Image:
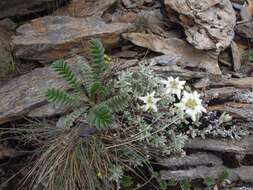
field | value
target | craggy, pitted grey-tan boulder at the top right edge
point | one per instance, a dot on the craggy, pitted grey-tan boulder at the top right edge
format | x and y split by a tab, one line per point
208	24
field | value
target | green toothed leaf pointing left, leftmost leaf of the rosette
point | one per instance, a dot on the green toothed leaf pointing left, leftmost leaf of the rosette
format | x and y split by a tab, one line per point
60	97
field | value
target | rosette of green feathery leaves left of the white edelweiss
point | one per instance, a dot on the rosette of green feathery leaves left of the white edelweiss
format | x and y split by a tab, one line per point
93	97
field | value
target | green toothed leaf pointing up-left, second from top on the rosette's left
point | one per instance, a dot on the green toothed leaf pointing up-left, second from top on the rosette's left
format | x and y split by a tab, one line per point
61	68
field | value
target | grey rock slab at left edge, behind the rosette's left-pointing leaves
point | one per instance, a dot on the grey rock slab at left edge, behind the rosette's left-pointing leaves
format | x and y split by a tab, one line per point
25	95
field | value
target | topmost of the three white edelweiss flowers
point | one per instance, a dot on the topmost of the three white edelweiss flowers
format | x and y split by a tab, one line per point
174	86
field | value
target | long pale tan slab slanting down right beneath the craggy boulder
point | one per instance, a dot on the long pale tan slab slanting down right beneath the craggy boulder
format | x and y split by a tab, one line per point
178	51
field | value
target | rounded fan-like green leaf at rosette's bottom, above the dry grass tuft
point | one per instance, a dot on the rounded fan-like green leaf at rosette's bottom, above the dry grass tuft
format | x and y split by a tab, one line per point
100	116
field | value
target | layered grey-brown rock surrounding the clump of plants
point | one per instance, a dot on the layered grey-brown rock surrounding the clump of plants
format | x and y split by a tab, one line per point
204	42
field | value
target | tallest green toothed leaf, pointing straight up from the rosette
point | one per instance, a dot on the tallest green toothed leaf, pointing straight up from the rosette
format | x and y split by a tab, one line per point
97	55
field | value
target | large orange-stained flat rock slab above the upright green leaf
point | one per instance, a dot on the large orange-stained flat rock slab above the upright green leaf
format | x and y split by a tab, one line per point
53	37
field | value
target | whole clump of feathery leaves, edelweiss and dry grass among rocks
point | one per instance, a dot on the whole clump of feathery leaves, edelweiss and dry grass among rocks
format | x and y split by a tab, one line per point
117	122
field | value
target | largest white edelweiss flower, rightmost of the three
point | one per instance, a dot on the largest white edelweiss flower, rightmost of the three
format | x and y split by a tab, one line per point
191	104
